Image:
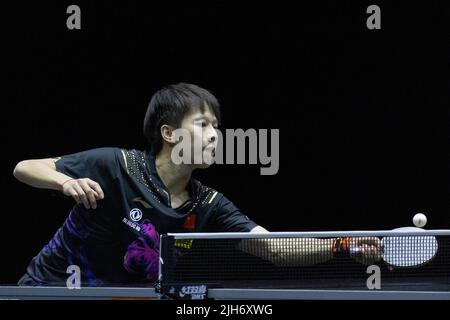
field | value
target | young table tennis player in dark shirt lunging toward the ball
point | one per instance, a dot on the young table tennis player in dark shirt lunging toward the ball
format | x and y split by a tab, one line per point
126	198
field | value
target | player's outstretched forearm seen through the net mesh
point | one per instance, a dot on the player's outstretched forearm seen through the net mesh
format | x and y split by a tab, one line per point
290	251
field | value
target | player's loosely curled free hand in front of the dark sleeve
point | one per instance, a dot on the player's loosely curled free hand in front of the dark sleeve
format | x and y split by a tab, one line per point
85	191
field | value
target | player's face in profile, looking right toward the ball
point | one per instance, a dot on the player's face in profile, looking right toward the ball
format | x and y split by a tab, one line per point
202	127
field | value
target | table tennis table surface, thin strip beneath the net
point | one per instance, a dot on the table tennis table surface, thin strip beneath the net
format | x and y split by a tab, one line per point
119	293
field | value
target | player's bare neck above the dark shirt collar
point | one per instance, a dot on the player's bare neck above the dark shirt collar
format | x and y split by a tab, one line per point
175	177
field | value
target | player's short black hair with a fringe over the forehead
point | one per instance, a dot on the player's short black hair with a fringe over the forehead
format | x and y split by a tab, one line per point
170	105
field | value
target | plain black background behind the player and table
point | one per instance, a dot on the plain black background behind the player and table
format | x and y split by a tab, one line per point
363	114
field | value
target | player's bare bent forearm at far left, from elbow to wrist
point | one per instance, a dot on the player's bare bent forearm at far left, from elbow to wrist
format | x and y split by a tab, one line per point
40	174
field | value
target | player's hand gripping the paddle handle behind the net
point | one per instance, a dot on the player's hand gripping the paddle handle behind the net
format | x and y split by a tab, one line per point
368	249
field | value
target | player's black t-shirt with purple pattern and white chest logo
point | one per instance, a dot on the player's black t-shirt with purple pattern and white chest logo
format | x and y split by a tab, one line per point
118	242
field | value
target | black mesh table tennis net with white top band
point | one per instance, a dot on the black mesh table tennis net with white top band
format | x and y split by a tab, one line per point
306	262
